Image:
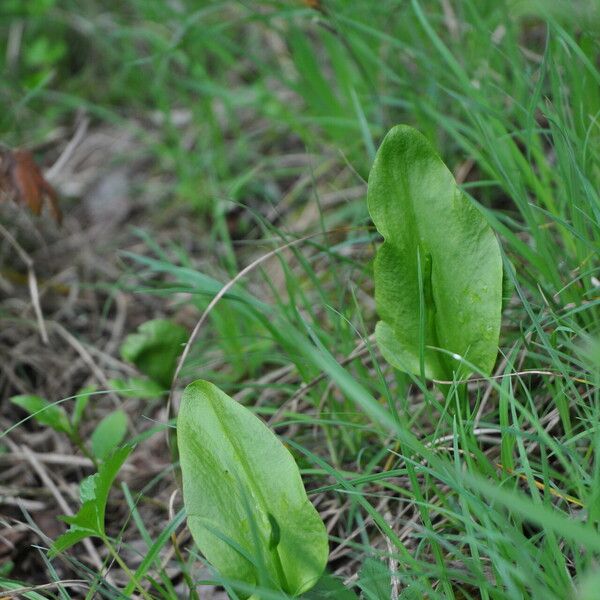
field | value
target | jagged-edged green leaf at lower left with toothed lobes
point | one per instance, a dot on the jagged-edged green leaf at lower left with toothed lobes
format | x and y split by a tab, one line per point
89	520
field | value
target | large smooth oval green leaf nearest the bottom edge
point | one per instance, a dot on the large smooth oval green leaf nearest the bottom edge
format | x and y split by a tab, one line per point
247	507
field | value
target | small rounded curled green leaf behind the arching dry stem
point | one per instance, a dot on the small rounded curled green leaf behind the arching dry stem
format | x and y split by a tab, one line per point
154	349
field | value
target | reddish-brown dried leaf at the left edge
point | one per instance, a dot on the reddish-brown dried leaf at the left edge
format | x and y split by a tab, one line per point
22	181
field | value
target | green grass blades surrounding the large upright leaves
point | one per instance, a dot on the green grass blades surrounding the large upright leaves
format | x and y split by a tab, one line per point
286	107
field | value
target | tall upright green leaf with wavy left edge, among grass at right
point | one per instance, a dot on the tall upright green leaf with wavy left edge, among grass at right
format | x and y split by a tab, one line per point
438	274
